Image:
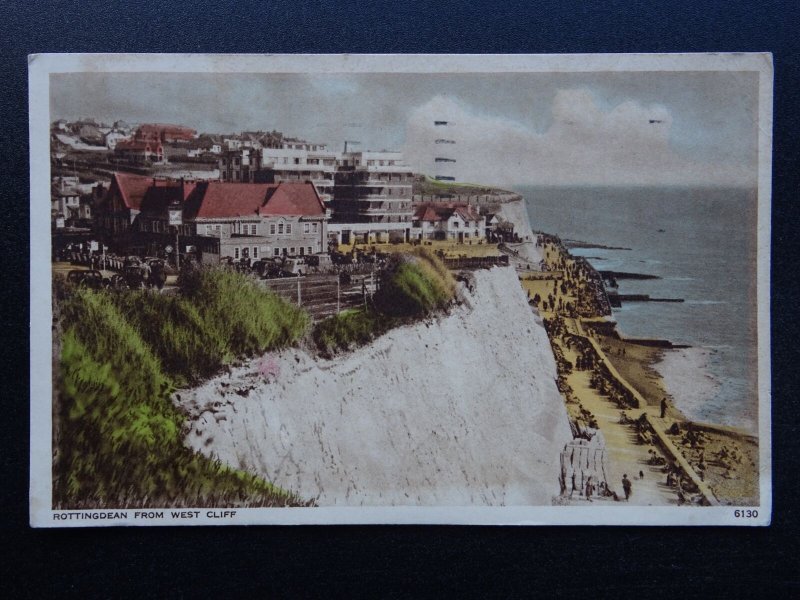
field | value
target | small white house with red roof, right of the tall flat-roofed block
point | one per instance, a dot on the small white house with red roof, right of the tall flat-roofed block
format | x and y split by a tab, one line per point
449	221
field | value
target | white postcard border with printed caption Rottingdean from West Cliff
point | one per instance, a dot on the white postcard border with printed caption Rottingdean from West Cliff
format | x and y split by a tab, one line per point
41	371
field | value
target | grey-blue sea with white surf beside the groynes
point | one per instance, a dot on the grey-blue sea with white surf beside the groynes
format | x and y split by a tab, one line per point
701	243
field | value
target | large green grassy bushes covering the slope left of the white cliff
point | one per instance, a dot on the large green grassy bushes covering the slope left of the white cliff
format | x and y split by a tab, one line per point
119	440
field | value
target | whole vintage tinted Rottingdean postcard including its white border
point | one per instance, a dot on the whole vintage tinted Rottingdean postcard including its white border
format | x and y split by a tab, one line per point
401	289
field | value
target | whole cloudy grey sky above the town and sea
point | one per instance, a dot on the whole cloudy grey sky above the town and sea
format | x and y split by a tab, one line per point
598	128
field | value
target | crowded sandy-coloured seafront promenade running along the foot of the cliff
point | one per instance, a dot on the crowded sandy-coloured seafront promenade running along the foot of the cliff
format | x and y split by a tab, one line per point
571	301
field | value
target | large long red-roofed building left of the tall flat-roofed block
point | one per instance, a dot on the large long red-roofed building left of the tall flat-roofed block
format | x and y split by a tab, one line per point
236	220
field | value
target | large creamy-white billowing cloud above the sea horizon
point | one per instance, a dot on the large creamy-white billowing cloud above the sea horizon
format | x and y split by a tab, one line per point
583	145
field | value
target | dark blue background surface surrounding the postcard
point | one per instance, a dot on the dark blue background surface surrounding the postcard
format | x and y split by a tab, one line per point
397	561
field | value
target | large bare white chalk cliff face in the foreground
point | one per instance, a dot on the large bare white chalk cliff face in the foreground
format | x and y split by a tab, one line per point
462	410
